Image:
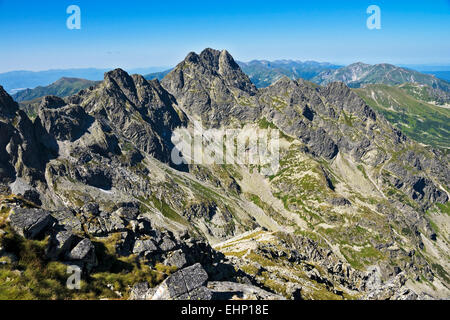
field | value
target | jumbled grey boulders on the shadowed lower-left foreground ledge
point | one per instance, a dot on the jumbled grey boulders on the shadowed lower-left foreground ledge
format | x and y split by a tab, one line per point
69	245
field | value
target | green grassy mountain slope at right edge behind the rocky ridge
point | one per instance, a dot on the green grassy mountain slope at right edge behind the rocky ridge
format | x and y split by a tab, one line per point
422	121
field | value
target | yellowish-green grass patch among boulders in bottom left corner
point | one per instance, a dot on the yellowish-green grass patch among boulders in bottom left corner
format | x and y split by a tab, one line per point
32	277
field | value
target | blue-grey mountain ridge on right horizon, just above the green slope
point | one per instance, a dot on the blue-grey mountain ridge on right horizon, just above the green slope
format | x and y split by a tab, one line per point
359	74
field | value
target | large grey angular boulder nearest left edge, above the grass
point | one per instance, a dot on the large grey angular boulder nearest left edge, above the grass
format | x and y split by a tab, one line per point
30	223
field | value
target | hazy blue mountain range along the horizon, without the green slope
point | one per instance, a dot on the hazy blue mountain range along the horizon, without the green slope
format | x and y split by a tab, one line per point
261	72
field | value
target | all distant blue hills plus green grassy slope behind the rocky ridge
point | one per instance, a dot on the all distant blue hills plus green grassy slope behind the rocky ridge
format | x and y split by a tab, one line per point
409	99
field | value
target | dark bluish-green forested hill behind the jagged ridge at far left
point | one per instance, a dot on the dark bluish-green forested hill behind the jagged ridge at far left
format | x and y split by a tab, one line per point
62	88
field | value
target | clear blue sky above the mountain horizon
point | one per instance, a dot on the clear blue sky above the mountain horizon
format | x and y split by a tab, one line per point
131	34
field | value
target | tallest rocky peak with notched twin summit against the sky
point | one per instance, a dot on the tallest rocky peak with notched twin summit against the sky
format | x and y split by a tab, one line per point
208	82
